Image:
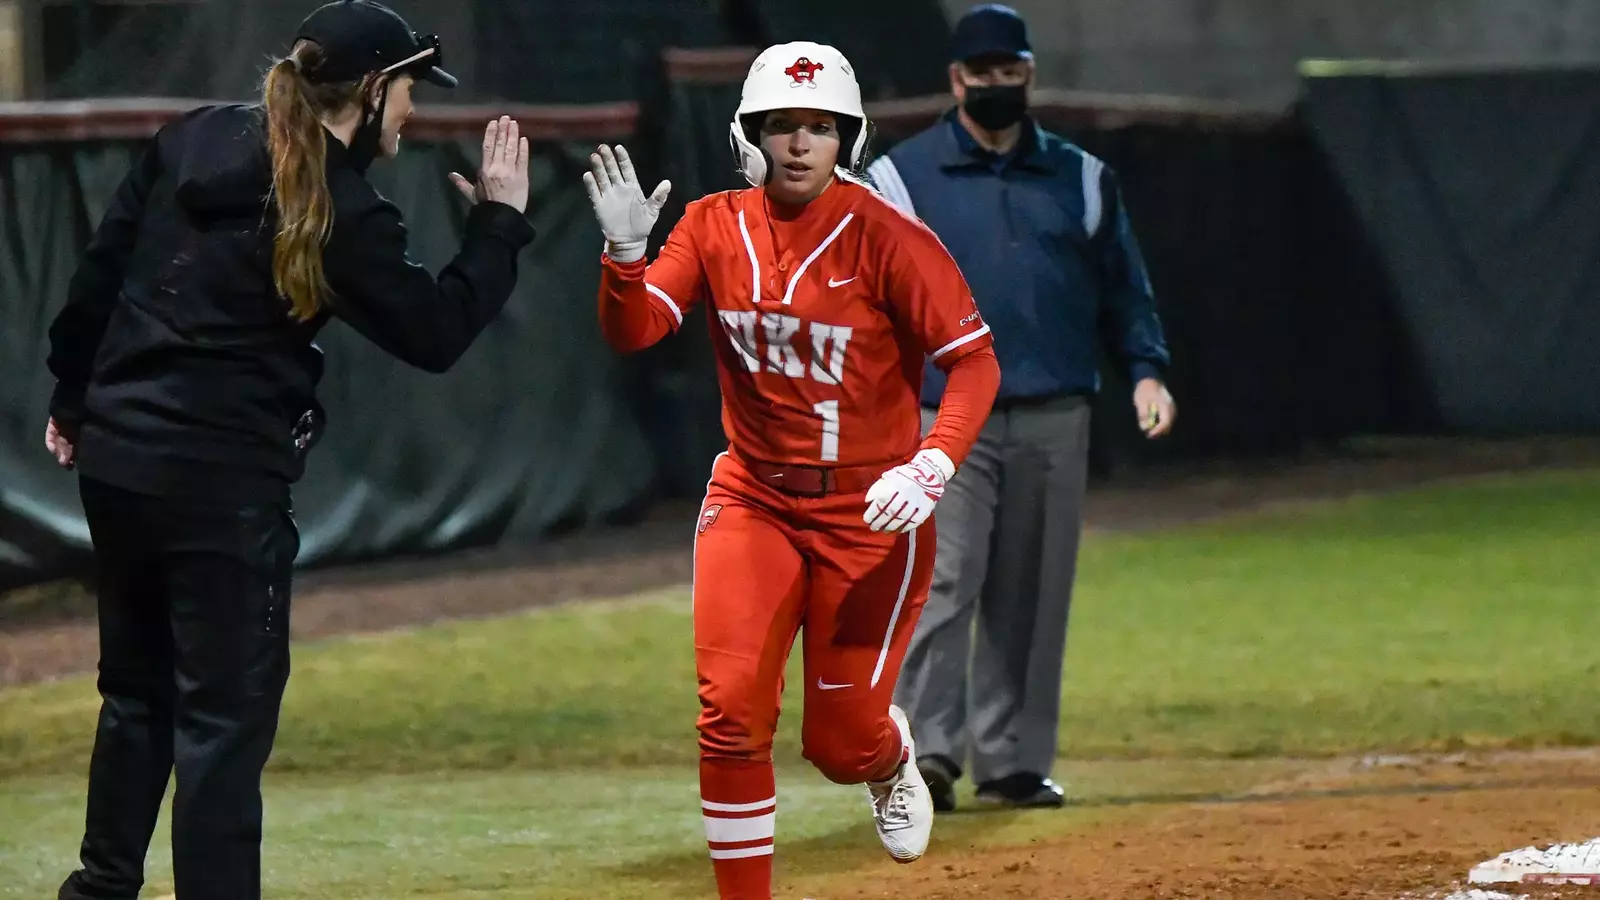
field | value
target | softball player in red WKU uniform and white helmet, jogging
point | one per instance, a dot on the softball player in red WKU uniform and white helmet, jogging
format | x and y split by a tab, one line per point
825	302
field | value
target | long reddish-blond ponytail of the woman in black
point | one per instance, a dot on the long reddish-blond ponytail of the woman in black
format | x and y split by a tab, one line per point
297	142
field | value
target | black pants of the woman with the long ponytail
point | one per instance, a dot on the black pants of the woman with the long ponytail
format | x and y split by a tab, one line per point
194	619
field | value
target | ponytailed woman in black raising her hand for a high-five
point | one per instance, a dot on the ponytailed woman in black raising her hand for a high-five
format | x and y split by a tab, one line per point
186	377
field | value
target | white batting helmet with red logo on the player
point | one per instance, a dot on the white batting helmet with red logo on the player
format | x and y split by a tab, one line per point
798	76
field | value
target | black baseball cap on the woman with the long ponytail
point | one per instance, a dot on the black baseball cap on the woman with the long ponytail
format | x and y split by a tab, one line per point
361	38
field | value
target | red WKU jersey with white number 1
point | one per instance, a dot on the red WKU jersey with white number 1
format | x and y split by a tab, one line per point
822	321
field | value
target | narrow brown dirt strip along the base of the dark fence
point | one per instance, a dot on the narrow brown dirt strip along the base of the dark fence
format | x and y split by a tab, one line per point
49	632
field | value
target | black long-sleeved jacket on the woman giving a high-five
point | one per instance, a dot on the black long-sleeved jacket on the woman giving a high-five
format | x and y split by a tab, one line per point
175	356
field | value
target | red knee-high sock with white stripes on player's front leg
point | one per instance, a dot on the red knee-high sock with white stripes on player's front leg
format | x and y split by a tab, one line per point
740	803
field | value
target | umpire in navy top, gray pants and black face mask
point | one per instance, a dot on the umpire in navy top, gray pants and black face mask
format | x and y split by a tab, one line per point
1041	233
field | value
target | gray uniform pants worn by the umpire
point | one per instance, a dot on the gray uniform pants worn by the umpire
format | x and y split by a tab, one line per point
1007	553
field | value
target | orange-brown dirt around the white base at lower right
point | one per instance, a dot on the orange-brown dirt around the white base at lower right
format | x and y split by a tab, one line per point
1388	830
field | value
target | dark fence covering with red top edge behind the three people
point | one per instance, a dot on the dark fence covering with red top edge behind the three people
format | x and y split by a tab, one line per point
1394	255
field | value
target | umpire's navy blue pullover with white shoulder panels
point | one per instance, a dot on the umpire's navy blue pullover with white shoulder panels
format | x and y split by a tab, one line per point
1046	244
